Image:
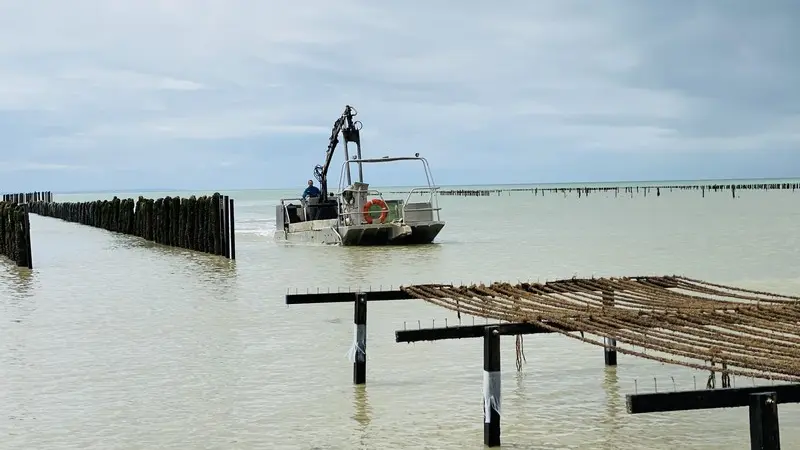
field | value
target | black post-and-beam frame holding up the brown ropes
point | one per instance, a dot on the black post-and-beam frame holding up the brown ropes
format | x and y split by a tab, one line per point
762	400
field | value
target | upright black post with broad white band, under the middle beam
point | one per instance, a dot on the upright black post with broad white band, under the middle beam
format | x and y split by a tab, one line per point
491	386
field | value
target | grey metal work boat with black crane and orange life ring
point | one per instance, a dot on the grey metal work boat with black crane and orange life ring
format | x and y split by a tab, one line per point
349	216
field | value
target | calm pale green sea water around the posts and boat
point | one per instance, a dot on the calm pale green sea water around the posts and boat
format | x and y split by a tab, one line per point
113	343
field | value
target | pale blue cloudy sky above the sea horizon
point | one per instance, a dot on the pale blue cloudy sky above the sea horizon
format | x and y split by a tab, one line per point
228	94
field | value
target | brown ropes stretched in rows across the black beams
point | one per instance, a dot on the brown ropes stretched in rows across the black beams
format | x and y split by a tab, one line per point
691	322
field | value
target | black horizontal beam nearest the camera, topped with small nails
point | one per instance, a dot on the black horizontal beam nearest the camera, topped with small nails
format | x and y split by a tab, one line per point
707	398
